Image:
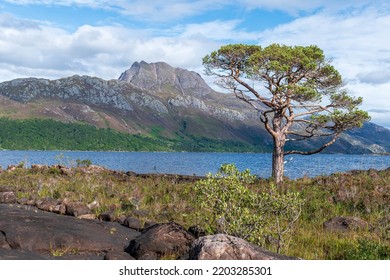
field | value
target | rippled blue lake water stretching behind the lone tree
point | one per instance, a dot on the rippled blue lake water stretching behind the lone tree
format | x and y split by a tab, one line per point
200	163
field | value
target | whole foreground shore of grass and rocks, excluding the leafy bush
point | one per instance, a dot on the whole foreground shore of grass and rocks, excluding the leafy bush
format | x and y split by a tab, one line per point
42	216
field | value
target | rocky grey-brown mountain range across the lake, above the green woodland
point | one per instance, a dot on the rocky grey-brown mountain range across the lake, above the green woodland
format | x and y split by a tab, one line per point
158	101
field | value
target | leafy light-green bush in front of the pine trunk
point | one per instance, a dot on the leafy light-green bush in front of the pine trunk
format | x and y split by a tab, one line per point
229	203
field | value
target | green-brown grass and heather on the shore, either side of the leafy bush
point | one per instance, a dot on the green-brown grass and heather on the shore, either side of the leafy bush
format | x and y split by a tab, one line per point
364	194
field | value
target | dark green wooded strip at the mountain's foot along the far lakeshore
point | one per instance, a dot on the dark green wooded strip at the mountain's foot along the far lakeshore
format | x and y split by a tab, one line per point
46	134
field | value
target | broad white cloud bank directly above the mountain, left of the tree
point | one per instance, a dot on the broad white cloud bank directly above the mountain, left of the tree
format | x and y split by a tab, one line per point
103	51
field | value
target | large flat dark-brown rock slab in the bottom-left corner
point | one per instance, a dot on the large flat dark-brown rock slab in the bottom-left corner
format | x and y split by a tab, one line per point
28	231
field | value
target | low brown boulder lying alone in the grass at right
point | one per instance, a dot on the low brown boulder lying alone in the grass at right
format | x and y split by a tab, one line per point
346	224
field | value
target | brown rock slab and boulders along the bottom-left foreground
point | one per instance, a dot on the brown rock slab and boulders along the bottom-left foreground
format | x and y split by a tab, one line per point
29	233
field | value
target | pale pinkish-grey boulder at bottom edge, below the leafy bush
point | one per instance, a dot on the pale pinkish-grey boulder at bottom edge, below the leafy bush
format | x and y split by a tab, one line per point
226	247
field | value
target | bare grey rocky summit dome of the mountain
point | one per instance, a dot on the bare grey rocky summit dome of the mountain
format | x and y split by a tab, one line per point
161	77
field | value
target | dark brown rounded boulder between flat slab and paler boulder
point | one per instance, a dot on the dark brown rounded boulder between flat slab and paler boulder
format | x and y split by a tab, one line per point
161	241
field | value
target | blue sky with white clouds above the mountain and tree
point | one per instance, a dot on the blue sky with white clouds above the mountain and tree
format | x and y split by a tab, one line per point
59	38
